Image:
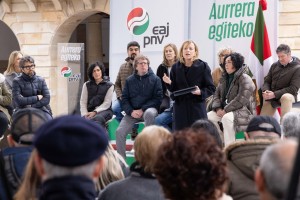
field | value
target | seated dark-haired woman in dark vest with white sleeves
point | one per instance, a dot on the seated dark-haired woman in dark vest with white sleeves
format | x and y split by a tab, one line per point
96	95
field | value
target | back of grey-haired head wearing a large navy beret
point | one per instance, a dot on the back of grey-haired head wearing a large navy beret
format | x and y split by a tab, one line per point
70	145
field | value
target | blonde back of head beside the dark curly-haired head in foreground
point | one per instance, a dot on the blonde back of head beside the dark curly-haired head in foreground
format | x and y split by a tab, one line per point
146	145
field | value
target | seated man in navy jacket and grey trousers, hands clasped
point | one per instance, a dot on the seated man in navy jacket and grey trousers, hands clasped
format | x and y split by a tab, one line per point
141	98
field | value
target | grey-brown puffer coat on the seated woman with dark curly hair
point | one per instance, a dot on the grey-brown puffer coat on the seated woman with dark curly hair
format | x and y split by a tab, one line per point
240	98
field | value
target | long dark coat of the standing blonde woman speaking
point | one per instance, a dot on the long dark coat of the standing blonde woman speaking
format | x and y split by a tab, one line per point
189	107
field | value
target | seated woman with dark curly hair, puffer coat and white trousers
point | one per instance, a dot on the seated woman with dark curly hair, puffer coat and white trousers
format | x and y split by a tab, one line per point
233	104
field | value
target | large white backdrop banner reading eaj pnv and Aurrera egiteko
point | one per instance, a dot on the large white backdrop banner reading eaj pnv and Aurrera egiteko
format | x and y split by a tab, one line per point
212	24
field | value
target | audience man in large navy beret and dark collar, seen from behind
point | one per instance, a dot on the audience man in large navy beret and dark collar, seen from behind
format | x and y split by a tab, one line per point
70	157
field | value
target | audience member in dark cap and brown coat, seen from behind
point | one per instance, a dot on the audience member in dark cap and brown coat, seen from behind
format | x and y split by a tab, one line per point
243	157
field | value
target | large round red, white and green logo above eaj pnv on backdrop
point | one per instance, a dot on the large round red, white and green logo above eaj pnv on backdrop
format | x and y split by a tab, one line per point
138	21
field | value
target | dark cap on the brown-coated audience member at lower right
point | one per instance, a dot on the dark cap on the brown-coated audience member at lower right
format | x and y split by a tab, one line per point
264	123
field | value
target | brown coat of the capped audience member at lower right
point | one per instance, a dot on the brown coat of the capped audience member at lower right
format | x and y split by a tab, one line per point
242	160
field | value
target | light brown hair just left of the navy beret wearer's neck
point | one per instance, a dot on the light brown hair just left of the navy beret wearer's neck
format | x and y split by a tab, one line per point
30	181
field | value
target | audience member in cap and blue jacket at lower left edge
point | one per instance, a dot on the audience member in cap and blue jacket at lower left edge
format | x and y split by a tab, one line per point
25	123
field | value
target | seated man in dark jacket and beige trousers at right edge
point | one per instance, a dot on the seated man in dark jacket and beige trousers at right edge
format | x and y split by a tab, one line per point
282	83
